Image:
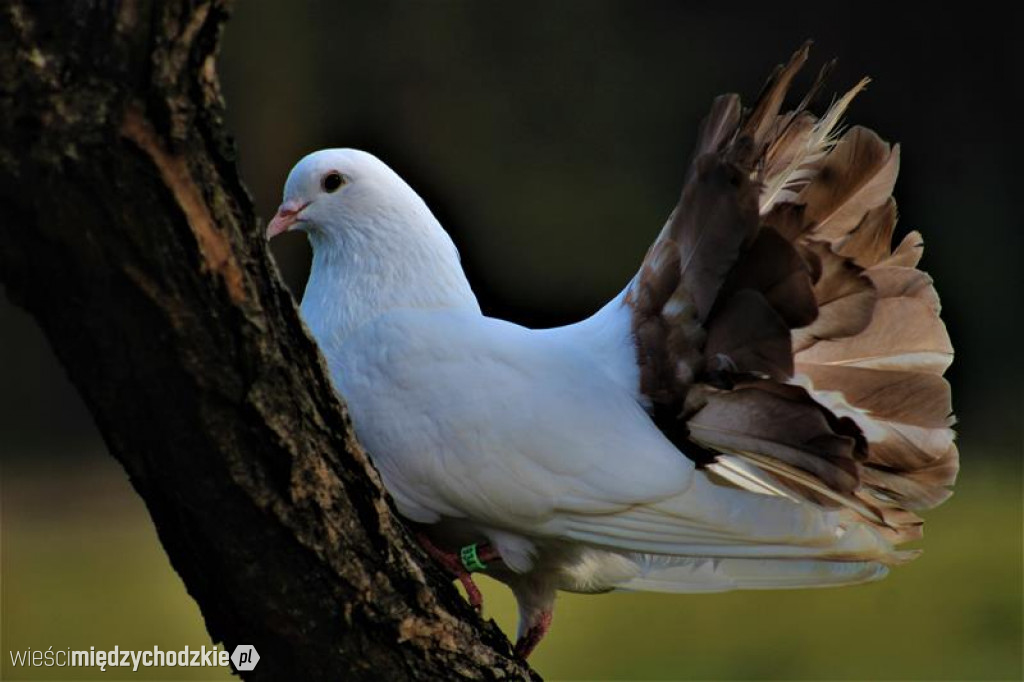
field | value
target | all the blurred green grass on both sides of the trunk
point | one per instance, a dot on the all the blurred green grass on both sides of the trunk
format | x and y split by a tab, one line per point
81	567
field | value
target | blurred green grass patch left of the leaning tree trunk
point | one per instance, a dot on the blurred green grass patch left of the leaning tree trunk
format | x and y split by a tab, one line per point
81	567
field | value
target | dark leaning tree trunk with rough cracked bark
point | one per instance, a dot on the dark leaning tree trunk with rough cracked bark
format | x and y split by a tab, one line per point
129	235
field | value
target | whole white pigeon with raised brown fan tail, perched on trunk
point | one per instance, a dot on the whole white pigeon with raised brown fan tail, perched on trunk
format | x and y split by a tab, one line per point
762	407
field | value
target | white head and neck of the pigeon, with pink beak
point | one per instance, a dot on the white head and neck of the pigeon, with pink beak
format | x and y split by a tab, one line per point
376	245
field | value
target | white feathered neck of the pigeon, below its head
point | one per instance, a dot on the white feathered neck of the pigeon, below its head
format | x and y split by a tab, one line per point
361	272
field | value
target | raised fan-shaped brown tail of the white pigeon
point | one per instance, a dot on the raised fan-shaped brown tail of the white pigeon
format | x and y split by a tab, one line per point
775	324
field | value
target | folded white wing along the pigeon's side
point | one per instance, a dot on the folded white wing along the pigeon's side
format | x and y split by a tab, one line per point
521	433
